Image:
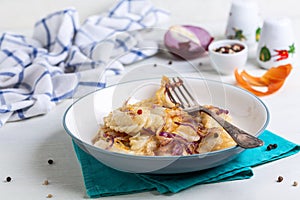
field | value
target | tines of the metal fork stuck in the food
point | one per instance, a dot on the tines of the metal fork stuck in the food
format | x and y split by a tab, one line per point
180	95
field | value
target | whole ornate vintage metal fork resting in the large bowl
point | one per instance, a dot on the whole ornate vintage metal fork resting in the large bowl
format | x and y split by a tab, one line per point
181	96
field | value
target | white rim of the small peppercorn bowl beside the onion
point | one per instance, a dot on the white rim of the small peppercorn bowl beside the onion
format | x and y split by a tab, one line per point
218	43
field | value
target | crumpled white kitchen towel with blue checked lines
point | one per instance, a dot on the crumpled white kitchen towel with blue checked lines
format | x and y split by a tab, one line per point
39	71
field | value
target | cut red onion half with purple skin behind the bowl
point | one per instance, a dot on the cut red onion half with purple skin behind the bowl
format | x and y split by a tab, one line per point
195	45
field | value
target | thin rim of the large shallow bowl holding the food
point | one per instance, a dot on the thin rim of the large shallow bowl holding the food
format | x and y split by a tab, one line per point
212	153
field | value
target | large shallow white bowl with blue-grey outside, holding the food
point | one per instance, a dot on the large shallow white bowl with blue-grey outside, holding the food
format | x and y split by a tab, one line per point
82	119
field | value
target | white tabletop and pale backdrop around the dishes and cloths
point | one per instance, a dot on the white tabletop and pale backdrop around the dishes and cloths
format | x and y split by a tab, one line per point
26	146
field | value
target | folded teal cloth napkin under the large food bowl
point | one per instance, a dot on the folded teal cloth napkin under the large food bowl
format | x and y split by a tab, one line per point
101	180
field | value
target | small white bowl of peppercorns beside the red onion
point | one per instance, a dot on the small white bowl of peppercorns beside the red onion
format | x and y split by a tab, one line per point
226	63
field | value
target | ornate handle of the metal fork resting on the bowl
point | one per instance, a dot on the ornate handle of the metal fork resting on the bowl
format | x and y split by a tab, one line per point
242	138
